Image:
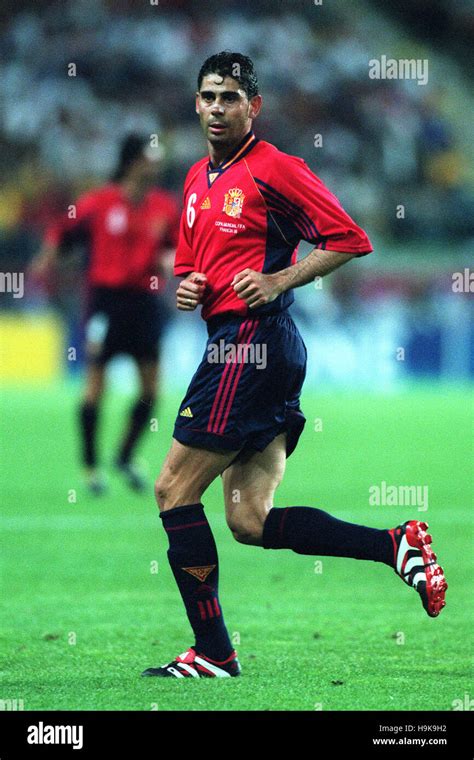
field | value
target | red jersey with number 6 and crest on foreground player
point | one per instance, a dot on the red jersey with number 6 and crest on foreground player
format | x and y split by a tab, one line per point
252	211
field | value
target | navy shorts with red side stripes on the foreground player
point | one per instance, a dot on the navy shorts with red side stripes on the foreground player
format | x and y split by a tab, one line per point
247	387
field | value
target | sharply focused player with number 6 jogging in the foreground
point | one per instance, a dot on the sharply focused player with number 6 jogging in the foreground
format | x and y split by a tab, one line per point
246	207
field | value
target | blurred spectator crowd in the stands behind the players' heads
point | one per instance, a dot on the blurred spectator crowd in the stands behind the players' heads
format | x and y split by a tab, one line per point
385	143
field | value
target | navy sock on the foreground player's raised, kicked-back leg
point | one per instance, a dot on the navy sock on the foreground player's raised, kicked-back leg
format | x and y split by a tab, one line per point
306	530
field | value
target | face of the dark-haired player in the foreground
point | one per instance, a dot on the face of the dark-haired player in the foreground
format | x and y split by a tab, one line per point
224	110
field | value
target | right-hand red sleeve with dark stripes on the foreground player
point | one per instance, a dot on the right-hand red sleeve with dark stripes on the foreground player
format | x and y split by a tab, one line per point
315	212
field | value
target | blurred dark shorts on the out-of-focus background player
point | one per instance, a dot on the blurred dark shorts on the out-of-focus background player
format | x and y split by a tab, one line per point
123	321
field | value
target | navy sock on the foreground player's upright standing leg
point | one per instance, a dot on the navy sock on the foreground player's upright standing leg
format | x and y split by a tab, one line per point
193	559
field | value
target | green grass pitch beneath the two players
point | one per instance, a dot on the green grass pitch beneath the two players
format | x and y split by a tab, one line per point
85	612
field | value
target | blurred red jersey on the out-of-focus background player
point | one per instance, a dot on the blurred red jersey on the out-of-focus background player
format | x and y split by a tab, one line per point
125	238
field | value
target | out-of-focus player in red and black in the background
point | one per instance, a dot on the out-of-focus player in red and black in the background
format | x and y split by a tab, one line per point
132	228
